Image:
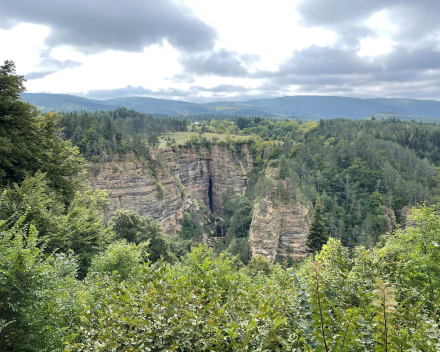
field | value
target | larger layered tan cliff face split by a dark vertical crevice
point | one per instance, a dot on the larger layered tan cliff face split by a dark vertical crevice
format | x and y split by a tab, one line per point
206	176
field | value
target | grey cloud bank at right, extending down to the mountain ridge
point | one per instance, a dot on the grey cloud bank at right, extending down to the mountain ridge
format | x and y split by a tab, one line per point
331	71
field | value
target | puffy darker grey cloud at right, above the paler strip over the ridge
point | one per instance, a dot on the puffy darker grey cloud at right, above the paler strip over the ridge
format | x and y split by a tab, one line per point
329	65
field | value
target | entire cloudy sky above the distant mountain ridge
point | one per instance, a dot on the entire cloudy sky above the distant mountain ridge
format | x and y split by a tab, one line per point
207	50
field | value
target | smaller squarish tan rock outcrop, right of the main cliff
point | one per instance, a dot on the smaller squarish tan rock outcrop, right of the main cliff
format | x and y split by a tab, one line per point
279	231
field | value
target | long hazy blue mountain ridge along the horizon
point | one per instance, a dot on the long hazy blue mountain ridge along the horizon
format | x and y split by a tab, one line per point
305	107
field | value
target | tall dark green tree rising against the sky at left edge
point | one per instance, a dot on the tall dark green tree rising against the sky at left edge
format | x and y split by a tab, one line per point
29	142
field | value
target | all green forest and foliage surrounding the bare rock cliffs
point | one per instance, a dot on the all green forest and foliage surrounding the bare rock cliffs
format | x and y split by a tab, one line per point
69	283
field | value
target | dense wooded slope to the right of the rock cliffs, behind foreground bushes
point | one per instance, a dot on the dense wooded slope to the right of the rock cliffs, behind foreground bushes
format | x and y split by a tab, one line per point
365	172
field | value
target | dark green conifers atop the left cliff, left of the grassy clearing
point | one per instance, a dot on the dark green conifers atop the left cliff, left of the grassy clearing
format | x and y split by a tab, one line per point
101	135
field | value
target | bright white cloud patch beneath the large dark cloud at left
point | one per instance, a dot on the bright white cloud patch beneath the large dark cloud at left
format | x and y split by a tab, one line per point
110	70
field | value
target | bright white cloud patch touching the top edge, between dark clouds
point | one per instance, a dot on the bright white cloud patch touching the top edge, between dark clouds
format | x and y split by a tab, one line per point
267	29
